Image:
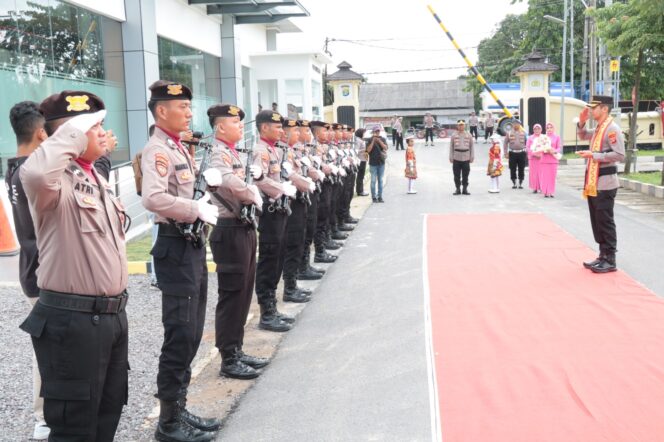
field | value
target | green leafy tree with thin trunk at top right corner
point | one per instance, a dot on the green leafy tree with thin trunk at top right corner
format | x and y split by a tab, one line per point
634	29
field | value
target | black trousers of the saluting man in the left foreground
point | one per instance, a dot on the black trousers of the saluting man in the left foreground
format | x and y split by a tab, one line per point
83	364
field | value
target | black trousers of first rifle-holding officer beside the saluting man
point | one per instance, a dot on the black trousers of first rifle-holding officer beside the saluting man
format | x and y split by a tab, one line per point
181	271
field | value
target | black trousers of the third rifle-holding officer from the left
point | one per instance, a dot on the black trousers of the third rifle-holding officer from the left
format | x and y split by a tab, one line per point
271	248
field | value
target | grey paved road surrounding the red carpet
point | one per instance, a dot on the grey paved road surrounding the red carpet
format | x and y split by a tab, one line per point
354	368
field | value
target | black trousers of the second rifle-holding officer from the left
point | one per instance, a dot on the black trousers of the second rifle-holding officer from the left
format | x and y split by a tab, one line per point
233	245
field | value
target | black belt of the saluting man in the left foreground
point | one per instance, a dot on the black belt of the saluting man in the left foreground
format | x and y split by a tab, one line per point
80	303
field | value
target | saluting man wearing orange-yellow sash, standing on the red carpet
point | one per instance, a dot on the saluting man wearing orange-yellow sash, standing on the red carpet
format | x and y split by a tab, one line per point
607	148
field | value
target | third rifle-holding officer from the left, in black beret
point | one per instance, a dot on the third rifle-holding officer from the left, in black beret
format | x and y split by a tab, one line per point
272	223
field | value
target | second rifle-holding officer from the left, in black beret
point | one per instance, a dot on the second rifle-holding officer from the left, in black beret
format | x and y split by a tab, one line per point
233	241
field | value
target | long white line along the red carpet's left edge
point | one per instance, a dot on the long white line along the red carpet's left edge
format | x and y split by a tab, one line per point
436	433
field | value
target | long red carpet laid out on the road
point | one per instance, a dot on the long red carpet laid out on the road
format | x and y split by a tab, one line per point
530	346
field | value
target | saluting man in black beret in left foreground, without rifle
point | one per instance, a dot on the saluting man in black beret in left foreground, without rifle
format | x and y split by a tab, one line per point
79	325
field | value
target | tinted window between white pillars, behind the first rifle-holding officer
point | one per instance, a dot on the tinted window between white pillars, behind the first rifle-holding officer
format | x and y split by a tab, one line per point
196	69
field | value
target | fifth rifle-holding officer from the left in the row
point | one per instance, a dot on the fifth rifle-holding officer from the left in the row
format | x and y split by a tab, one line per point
305	270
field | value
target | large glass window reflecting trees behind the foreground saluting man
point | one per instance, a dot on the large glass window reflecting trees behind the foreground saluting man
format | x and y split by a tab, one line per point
47	46
